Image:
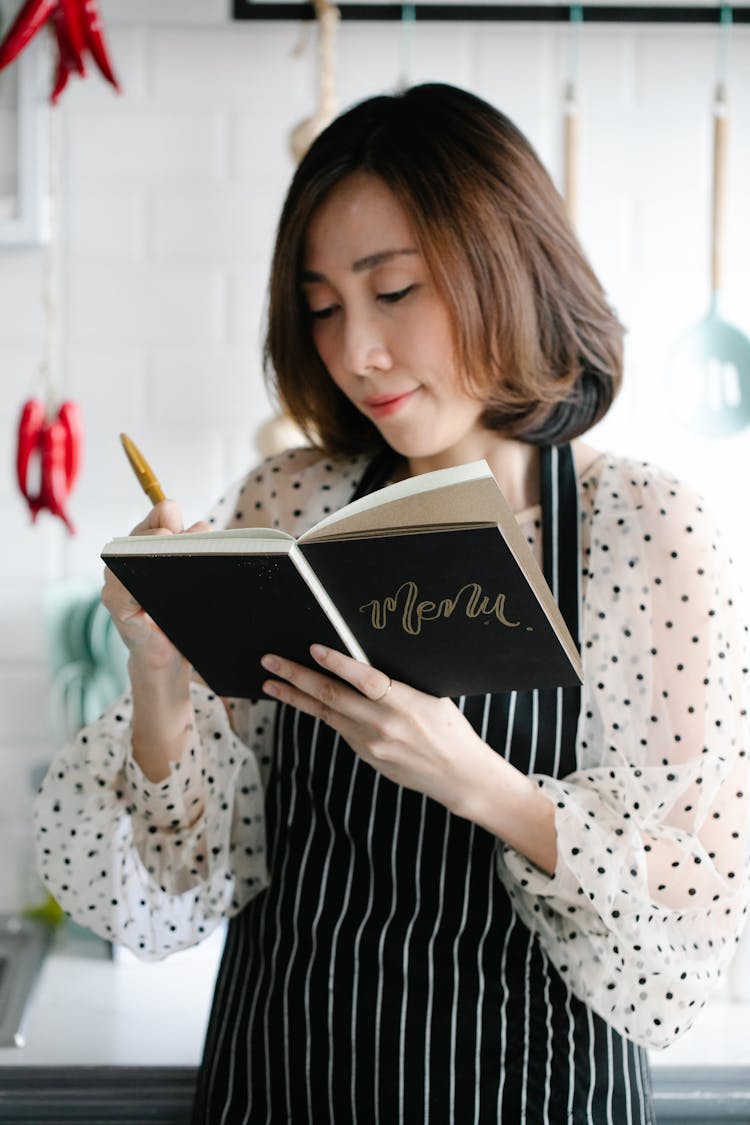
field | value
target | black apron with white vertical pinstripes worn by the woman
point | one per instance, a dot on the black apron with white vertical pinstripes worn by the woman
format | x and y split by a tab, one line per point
384	977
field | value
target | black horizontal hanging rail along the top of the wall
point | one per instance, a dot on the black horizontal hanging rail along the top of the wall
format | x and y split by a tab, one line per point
518	13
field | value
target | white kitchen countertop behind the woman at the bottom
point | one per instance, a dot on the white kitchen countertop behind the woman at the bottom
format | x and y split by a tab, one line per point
93	1012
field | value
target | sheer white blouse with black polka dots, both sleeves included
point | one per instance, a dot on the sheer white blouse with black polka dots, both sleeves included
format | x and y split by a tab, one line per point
650	892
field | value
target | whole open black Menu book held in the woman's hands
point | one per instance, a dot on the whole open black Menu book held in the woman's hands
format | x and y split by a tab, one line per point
430	580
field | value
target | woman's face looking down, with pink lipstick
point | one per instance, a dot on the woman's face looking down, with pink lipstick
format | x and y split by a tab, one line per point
381	327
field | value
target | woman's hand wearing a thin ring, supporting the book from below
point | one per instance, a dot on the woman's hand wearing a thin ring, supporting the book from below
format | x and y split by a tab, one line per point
418	741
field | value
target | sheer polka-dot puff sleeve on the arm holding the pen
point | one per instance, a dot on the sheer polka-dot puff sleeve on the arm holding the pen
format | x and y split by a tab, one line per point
156	866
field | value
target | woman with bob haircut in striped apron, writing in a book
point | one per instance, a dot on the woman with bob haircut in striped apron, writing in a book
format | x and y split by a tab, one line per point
481	910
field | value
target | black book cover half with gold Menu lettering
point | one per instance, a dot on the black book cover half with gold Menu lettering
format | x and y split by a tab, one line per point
450	613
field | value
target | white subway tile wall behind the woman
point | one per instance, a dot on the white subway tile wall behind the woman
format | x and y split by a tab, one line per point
171	196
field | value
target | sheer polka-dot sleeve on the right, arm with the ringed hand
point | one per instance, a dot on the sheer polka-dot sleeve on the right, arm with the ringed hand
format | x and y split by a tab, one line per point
650	892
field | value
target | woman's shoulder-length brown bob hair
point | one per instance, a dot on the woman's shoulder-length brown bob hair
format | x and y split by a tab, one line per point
535	337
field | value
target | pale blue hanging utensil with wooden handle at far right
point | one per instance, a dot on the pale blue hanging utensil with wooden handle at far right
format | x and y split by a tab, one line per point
711	364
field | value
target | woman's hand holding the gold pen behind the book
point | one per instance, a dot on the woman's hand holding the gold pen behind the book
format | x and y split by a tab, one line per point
148	645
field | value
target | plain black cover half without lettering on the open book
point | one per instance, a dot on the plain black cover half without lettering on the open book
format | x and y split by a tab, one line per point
223	613
